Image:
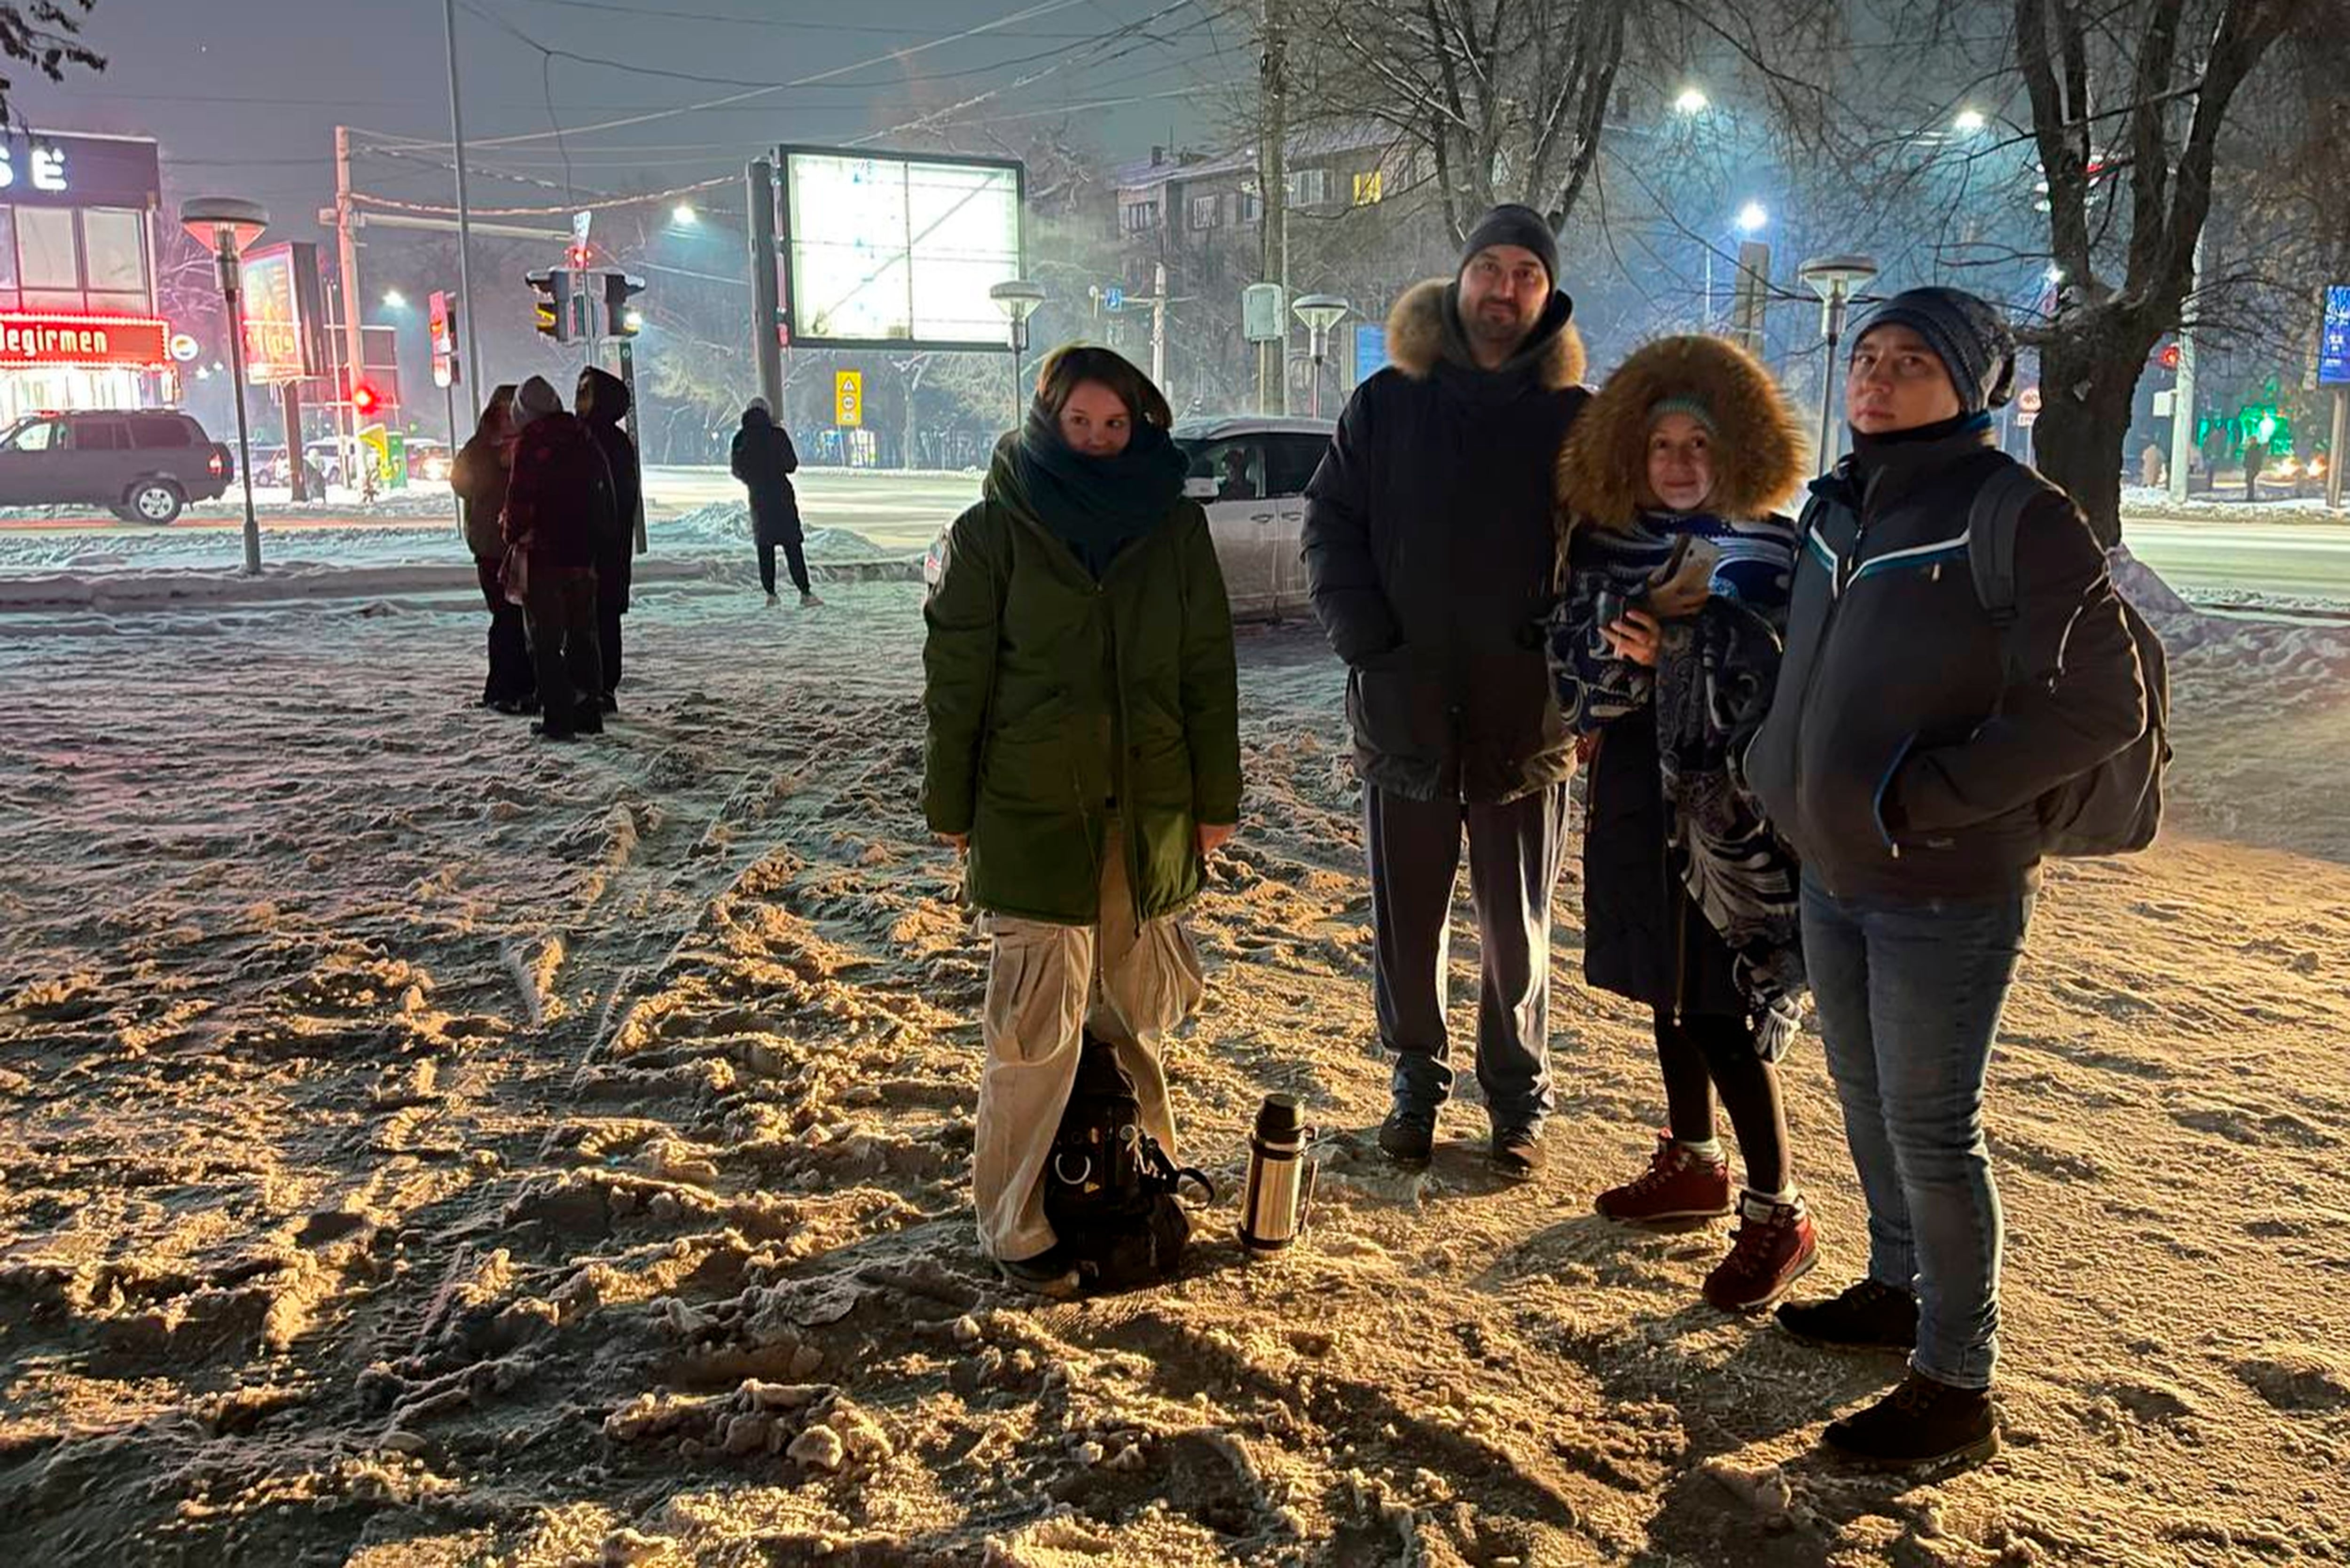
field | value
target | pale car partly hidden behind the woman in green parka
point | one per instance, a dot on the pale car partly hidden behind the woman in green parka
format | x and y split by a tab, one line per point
1249	474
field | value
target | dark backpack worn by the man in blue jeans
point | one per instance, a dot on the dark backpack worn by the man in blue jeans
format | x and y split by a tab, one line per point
2116	808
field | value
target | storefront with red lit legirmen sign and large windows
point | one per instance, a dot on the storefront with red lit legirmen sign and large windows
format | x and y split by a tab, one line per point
79	321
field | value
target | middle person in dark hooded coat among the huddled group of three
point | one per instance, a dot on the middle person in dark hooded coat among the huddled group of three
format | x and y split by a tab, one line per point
558	511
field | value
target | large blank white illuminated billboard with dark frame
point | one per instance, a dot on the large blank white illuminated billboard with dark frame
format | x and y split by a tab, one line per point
897	250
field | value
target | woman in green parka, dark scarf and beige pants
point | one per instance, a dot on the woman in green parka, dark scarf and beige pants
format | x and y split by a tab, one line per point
1085	756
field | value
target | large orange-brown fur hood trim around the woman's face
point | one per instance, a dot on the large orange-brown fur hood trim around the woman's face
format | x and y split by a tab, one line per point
1761	455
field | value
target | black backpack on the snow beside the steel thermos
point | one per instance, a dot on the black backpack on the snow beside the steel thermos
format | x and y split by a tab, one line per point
1110	1193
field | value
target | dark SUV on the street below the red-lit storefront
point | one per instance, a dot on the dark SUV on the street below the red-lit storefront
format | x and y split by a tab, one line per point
140	464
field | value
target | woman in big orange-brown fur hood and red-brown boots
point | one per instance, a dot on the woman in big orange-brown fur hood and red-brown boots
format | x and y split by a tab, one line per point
1665	655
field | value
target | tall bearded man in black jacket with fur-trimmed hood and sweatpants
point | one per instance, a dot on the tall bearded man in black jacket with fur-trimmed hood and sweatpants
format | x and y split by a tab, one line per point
1432	558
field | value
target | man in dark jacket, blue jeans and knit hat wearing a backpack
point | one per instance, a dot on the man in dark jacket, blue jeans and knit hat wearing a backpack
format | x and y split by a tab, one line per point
1961	697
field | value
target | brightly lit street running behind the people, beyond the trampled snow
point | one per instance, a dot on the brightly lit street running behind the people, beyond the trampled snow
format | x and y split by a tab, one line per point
2307	561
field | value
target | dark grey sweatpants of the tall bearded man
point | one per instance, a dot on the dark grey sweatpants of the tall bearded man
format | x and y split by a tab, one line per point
1515	859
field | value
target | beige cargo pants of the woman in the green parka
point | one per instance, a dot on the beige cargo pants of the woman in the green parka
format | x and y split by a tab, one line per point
1047	986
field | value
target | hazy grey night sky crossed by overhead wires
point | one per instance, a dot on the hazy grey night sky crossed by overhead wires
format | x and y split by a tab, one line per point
246	95
